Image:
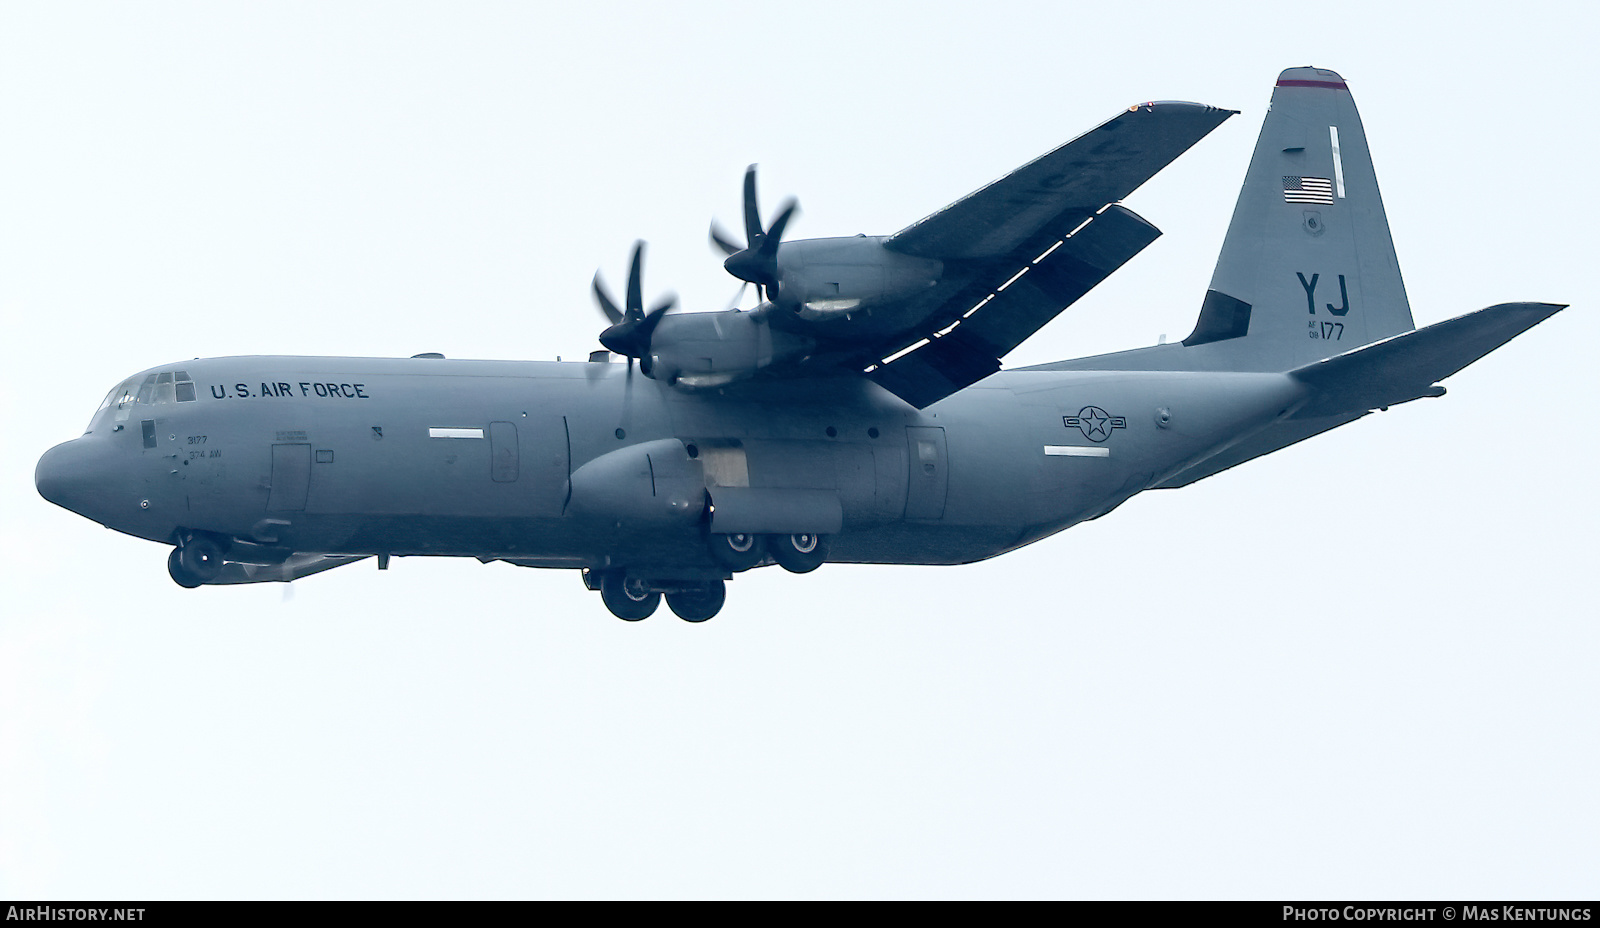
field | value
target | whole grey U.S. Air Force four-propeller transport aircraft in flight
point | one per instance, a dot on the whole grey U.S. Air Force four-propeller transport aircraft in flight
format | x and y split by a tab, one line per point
857	415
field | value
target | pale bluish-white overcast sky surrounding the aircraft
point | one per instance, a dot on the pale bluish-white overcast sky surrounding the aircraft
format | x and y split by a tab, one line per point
1362	668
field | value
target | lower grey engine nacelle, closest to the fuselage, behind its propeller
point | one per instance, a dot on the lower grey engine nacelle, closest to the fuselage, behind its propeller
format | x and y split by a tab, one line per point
708	350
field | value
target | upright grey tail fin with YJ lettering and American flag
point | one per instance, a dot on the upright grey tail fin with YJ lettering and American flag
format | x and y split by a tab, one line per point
1308	270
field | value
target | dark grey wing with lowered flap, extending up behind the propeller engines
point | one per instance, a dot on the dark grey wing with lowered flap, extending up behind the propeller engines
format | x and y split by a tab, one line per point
1023	249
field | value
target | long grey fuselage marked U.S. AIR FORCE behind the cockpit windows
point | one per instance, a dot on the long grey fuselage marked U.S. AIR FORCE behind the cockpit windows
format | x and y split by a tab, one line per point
431	457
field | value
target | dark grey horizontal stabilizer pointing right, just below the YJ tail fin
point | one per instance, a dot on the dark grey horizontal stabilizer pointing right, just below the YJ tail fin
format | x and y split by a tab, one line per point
1406	367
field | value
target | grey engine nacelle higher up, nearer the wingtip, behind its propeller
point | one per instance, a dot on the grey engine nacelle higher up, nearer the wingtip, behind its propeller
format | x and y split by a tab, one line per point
825	278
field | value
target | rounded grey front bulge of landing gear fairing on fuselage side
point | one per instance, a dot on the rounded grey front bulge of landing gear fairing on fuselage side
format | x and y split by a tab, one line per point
649	484
